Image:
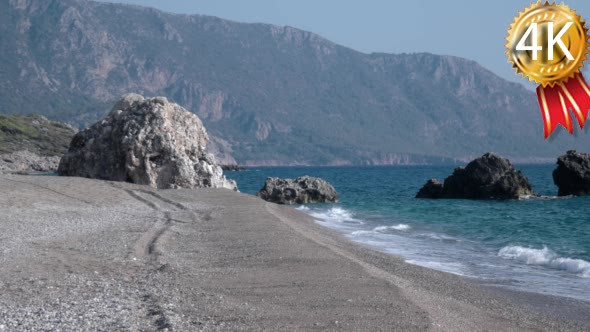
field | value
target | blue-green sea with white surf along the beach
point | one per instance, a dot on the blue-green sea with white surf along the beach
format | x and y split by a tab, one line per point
539	245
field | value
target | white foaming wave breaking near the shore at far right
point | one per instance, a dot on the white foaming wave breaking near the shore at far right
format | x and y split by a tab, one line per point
546	257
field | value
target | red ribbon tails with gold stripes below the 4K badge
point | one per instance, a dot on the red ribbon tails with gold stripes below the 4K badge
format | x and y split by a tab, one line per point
556	101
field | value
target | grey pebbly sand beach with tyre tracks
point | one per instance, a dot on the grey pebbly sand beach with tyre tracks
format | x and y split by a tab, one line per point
79	254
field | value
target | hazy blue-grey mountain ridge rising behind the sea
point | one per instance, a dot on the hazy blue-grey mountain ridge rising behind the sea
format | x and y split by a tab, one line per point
268	95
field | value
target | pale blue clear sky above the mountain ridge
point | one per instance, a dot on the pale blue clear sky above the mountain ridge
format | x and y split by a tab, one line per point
465	28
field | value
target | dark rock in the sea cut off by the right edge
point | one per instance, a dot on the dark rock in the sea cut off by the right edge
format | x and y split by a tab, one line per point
572	175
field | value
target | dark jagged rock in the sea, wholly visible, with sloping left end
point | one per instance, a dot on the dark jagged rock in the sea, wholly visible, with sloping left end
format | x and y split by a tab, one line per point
487	177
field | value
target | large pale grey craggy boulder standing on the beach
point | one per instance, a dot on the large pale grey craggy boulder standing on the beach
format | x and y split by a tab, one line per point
146	141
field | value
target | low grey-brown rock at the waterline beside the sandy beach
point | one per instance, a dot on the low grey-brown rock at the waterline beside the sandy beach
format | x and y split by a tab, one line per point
302	190
